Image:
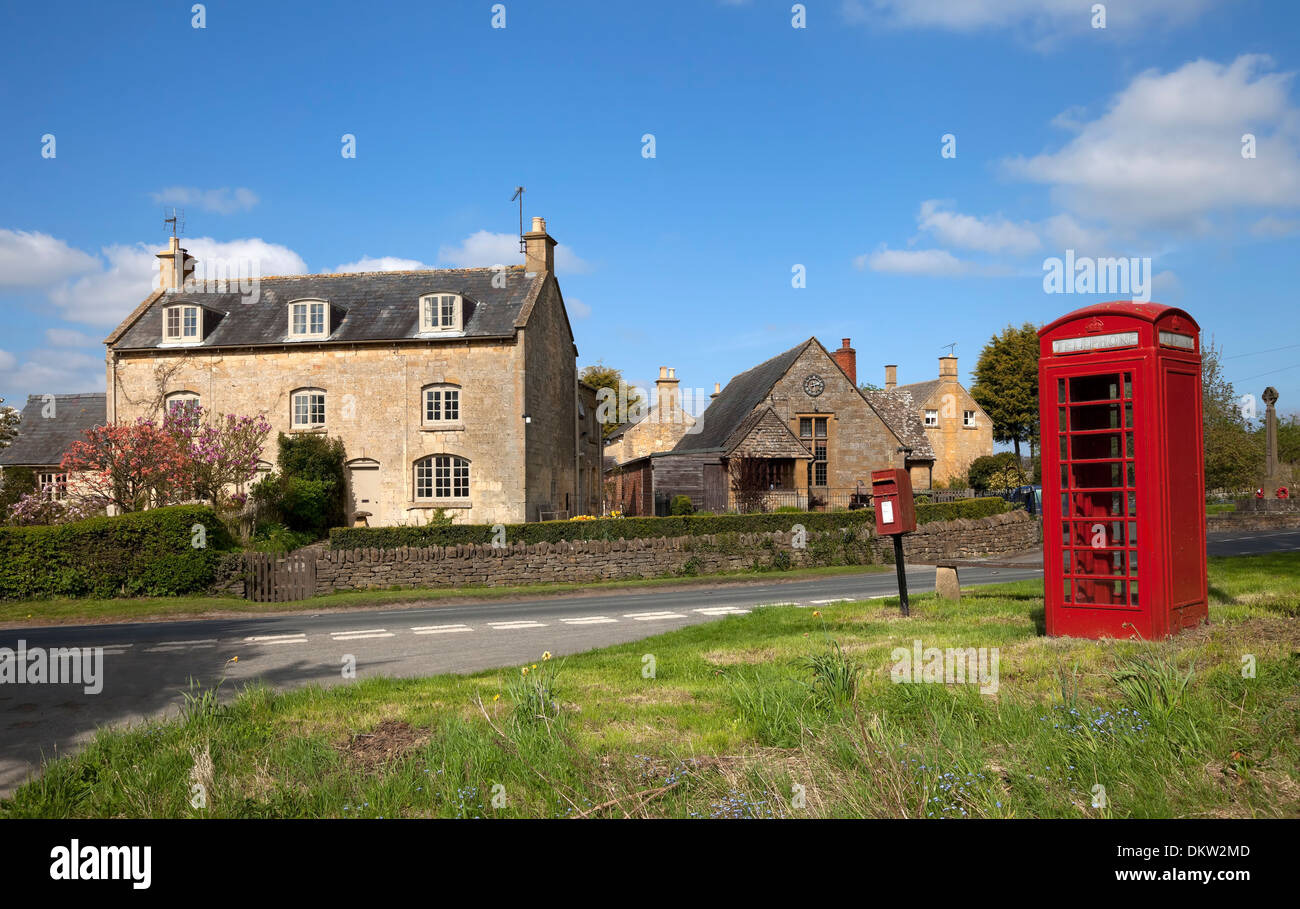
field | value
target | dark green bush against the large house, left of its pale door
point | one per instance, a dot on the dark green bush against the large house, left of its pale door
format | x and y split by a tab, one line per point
310	492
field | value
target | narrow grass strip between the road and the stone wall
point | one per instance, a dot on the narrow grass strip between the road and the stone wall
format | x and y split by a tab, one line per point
68	611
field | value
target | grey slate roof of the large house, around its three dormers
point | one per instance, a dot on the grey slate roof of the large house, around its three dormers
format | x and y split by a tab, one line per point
367	306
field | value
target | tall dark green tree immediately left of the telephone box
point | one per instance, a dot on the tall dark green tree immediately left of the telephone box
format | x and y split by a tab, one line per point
1007	384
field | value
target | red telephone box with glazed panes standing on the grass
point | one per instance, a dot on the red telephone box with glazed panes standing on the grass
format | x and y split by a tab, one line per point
1124	492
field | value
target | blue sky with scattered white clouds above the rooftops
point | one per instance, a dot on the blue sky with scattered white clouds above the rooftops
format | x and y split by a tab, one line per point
774	148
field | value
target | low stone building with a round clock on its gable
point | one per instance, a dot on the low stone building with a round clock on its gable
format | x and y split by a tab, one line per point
794	431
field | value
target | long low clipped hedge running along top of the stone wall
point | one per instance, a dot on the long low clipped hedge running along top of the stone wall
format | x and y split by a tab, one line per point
632	529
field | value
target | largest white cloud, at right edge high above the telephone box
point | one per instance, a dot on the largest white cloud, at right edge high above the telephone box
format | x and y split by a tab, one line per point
1168	151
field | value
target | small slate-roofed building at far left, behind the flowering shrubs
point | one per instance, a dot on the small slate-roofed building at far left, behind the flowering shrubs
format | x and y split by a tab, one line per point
47	428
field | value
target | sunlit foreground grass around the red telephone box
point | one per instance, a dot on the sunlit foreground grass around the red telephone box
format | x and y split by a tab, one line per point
782	713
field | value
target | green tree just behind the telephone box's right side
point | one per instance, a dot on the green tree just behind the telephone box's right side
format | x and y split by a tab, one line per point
1234	454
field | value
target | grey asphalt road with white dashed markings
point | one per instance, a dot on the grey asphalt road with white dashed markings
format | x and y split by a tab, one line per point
148	665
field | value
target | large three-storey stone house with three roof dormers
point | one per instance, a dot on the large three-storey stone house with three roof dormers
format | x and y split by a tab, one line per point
450	389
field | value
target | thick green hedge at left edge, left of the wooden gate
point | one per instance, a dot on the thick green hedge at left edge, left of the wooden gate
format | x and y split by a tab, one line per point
145	553
